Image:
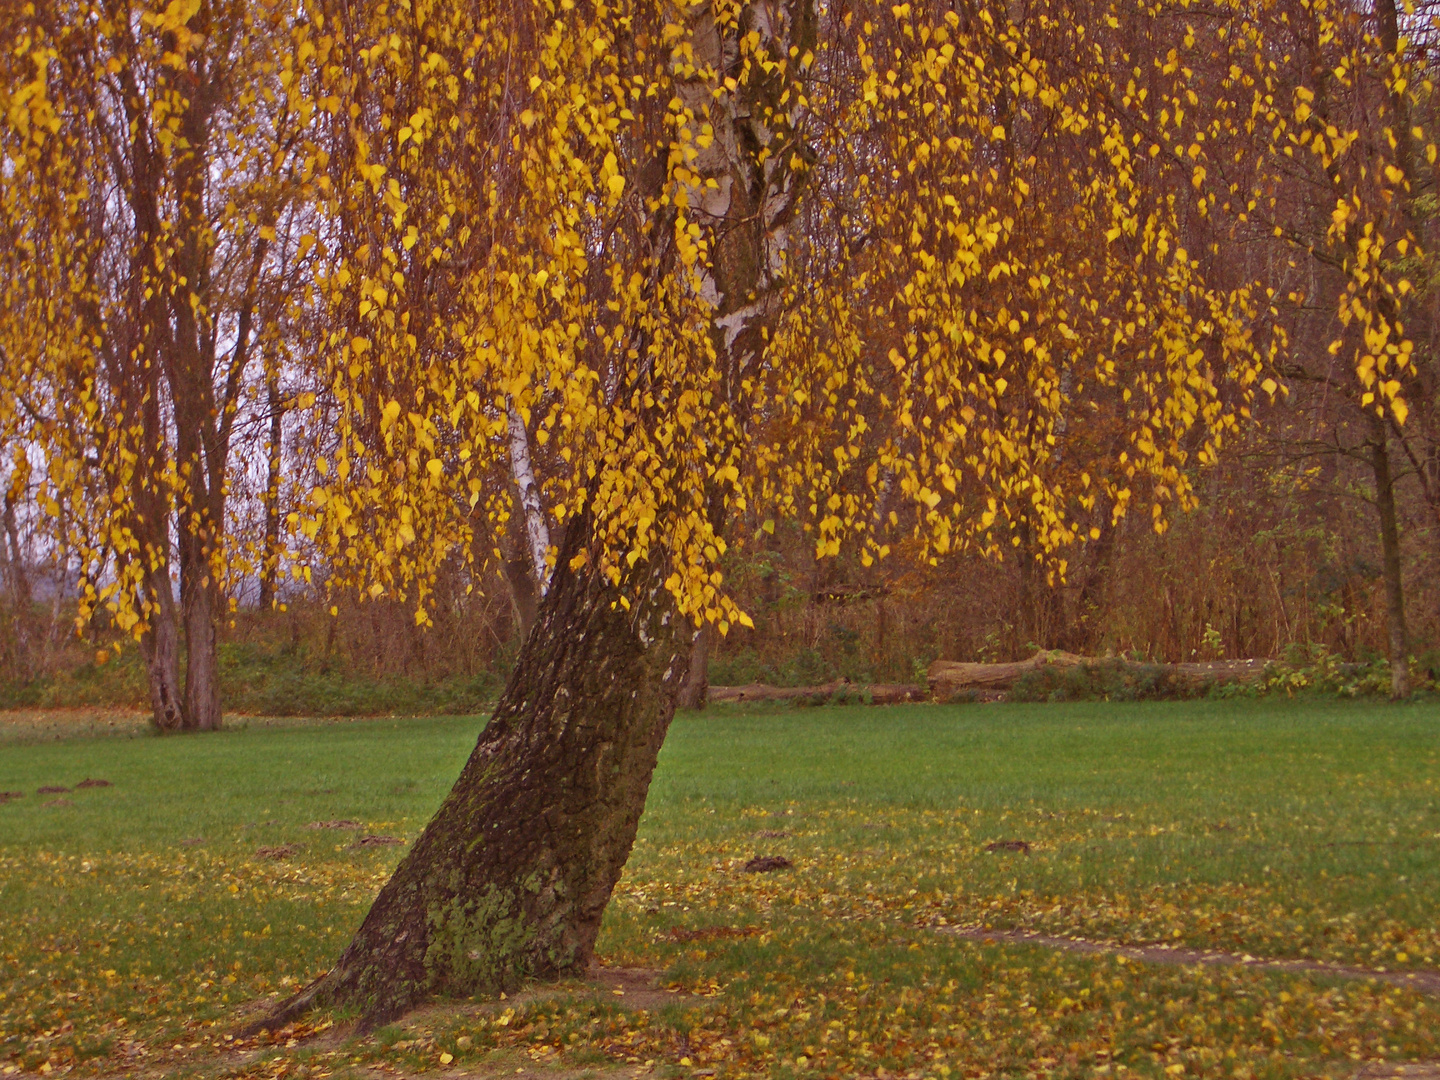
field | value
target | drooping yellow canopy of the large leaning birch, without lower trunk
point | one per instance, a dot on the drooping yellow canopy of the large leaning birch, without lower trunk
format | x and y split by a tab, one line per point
872	270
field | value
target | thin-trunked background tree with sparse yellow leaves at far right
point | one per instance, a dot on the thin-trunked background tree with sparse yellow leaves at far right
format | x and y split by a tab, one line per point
1307	130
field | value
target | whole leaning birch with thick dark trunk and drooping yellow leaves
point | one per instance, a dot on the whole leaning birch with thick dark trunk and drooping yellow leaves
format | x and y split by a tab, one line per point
712	257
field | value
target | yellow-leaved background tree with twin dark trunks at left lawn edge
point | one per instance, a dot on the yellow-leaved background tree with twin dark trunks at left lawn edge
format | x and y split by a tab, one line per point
153	156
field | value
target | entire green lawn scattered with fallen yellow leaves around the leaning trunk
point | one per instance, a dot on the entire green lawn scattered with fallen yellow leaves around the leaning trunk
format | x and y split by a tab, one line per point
139	921
